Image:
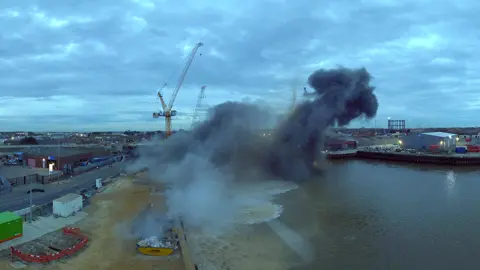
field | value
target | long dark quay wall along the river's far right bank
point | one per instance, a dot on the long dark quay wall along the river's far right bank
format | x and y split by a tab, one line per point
420	158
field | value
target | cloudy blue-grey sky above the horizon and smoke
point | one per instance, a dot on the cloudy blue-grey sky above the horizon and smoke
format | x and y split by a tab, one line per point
97	65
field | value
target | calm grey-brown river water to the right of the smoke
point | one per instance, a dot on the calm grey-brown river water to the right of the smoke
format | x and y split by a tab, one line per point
367	215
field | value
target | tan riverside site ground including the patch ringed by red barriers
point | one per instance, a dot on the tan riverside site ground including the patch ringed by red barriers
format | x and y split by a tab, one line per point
106	226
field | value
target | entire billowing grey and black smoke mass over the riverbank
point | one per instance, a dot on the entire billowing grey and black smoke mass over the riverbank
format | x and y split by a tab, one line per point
205	169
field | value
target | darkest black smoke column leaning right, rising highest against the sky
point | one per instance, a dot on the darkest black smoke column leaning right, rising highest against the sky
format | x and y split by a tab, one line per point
342	95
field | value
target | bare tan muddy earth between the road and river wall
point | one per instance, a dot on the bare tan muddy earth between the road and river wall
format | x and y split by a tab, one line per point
109	218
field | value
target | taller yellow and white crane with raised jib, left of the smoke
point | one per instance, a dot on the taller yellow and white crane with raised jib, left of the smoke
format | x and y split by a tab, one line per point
167	109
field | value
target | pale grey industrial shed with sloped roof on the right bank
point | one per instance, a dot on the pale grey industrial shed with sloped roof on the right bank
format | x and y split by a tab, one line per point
441	140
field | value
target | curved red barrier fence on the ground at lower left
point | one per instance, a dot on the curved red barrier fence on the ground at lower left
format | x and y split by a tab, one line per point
55	255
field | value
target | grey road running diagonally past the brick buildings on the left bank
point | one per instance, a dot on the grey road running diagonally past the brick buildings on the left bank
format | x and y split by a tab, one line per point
19	200
